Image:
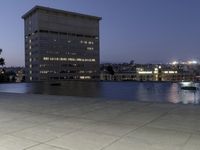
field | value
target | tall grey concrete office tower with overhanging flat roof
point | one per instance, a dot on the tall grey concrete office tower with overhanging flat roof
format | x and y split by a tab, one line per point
61	45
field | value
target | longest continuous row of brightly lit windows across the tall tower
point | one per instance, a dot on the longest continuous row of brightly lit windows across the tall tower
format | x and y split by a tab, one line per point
68	59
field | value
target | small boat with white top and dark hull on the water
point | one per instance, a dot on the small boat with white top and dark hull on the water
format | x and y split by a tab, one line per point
192	86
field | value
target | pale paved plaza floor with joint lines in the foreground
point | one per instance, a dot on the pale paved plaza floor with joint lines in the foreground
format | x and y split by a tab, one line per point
38	122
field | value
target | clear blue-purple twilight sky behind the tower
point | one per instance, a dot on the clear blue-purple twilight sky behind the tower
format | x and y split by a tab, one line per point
142	30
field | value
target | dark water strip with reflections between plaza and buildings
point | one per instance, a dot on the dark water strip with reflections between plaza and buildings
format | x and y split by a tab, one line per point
135	91
